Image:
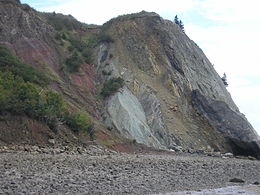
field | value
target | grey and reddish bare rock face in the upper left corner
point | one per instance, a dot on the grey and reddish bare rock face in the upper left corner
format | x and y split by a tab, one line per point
27	35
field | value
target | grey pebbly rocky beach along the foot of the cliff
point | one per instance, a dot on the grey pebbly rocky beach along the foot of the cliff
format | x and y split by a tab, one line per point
97	170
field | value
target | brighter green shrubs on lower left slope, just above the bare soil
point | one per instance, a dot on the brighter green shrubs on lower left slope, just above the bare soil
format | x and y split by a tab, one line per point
19	97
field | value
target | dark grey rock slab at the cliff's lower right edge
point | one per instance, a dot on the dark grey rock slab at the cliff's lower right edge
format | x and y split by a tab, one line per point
234	126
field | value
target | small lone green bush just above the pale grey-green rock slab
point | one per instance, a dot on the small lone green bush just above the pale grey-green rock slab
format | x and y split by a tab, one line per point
111	86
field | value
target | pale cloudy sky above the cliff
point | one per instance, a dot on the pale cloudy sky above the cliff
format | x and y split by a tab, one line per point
226	30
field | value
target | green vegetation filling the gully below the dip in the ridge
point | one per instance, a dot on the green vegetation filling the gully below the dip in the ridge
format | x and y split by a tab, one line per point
72	35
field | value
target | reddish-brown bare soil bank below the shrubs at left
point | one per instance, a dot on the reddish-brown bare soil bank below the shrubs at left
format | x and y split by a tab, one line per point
21	130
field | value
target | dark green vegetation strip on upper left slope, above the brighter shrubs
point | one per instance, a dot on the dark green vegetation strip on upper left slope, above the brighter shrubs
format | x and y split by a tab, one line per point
10	63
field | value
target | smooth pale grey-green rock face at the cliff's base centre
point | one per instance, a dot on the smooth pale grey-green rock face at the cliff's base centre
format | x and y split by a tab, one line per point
127	115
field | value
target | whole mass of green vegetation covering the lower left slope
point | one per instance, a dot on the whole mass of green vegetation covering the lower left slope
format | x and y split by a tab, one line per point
22	94
